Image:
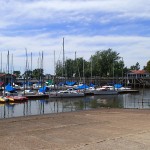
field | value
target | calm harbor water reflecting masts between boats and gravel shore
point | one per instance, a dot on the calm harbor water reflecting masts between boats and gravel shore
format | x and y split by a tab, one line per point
139	100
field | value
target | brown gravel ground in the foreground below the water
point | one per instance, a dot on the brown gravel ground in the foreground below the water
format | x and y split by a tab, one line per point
101	129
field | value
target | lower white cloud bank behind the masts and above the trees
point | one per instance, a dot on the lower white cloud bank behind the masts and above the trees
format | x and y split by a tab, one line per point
130	48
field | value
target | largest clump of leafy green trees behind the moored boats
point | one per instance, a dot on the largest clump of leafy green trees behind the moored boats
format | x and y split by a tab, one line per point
104	63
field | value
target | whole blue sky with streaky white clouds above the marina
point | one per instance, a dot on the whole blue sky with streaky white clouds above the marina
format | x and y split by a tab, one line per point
87	26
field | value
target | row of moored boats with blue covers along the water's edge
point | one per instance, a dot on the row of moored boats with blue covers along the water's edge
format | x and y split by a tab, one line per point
71	91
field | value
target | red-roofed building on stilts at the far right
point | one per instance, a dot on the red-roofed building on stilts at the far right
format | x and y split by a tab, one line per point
138	74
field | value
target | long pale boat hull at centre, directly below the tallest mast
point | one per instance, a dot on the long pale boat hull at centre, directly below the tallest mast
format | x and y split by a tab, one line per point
65	94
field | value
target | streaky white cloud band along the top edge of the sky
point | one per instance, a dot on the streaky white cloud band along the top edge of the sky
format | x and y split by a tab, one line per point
17	12
